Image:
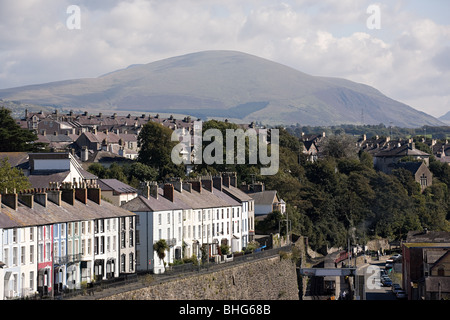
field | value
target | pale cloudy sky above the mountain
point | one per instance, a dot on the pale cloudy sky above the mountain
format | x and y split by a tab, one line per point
400	47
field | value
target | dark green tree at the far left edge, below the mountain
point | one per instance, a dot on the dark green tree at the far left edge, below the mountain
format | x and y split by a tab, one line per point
12	136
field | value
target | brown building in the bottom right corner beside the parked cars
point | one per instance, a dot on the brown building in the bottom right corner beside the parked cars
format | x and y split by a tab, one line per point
425	265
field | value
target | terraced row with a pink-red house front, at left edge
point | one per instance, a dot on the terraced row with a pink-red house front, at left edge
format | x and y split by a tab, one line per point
56	239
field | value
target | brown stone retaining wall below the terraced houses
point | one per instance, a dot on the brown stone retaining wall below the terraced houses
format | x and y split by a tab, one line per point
268	279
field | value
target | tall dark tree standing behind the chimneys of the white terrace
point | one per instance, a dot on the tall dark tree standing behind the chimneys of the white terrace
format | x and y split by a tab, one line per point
156	147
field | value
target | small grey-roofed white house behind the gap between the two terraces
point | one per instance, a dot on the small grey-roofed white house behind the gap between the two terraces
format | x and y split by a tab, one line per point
116	191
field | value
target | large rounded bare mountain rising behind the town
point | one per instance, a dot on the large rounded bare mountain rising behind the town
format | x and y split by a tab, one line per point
226	84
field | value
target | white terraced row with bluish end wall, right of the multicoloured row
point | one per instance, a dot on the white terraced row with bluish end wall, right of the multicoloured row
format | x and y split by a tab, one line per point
194	217
